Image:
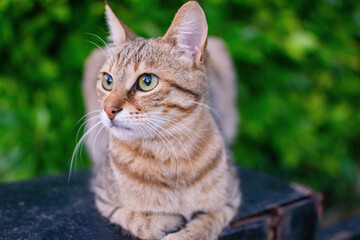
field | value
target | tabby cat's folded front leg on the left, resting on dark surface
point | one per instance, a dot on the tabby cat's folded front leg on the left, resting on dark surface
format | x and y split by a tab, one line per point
144	225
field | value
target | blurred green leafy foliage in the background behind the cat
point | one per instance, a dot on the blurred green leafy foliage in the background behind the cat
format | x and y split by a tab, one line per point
298	65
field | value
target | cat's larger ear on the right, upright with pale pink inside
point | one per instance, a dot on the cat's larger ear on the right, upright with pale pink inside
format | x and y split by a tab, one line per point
189	30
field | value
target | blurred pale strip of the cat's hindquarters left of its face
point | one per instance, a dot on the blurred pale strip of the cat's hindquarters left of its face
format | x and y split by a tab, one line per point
97	137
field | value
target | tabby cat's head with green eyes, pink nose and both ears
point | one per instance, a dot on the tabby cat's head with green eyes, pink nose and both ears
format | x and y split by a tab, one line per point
148	85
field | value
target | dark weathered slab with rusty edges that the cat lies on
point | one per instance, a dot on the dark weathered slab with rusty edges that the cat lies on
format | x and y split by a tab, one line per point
45	208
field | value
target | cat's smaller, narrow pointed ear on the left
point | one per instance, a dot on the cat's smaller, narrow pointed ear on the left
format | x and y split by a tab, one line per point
119	32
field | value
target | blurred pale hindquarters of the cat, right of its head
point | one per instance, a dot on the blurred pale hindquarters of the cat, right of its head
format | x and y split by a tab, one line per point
223	88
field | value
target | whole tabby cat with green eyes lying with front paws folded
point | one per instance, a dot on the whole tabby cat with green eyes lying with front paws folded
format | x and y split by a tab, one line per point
161	169
